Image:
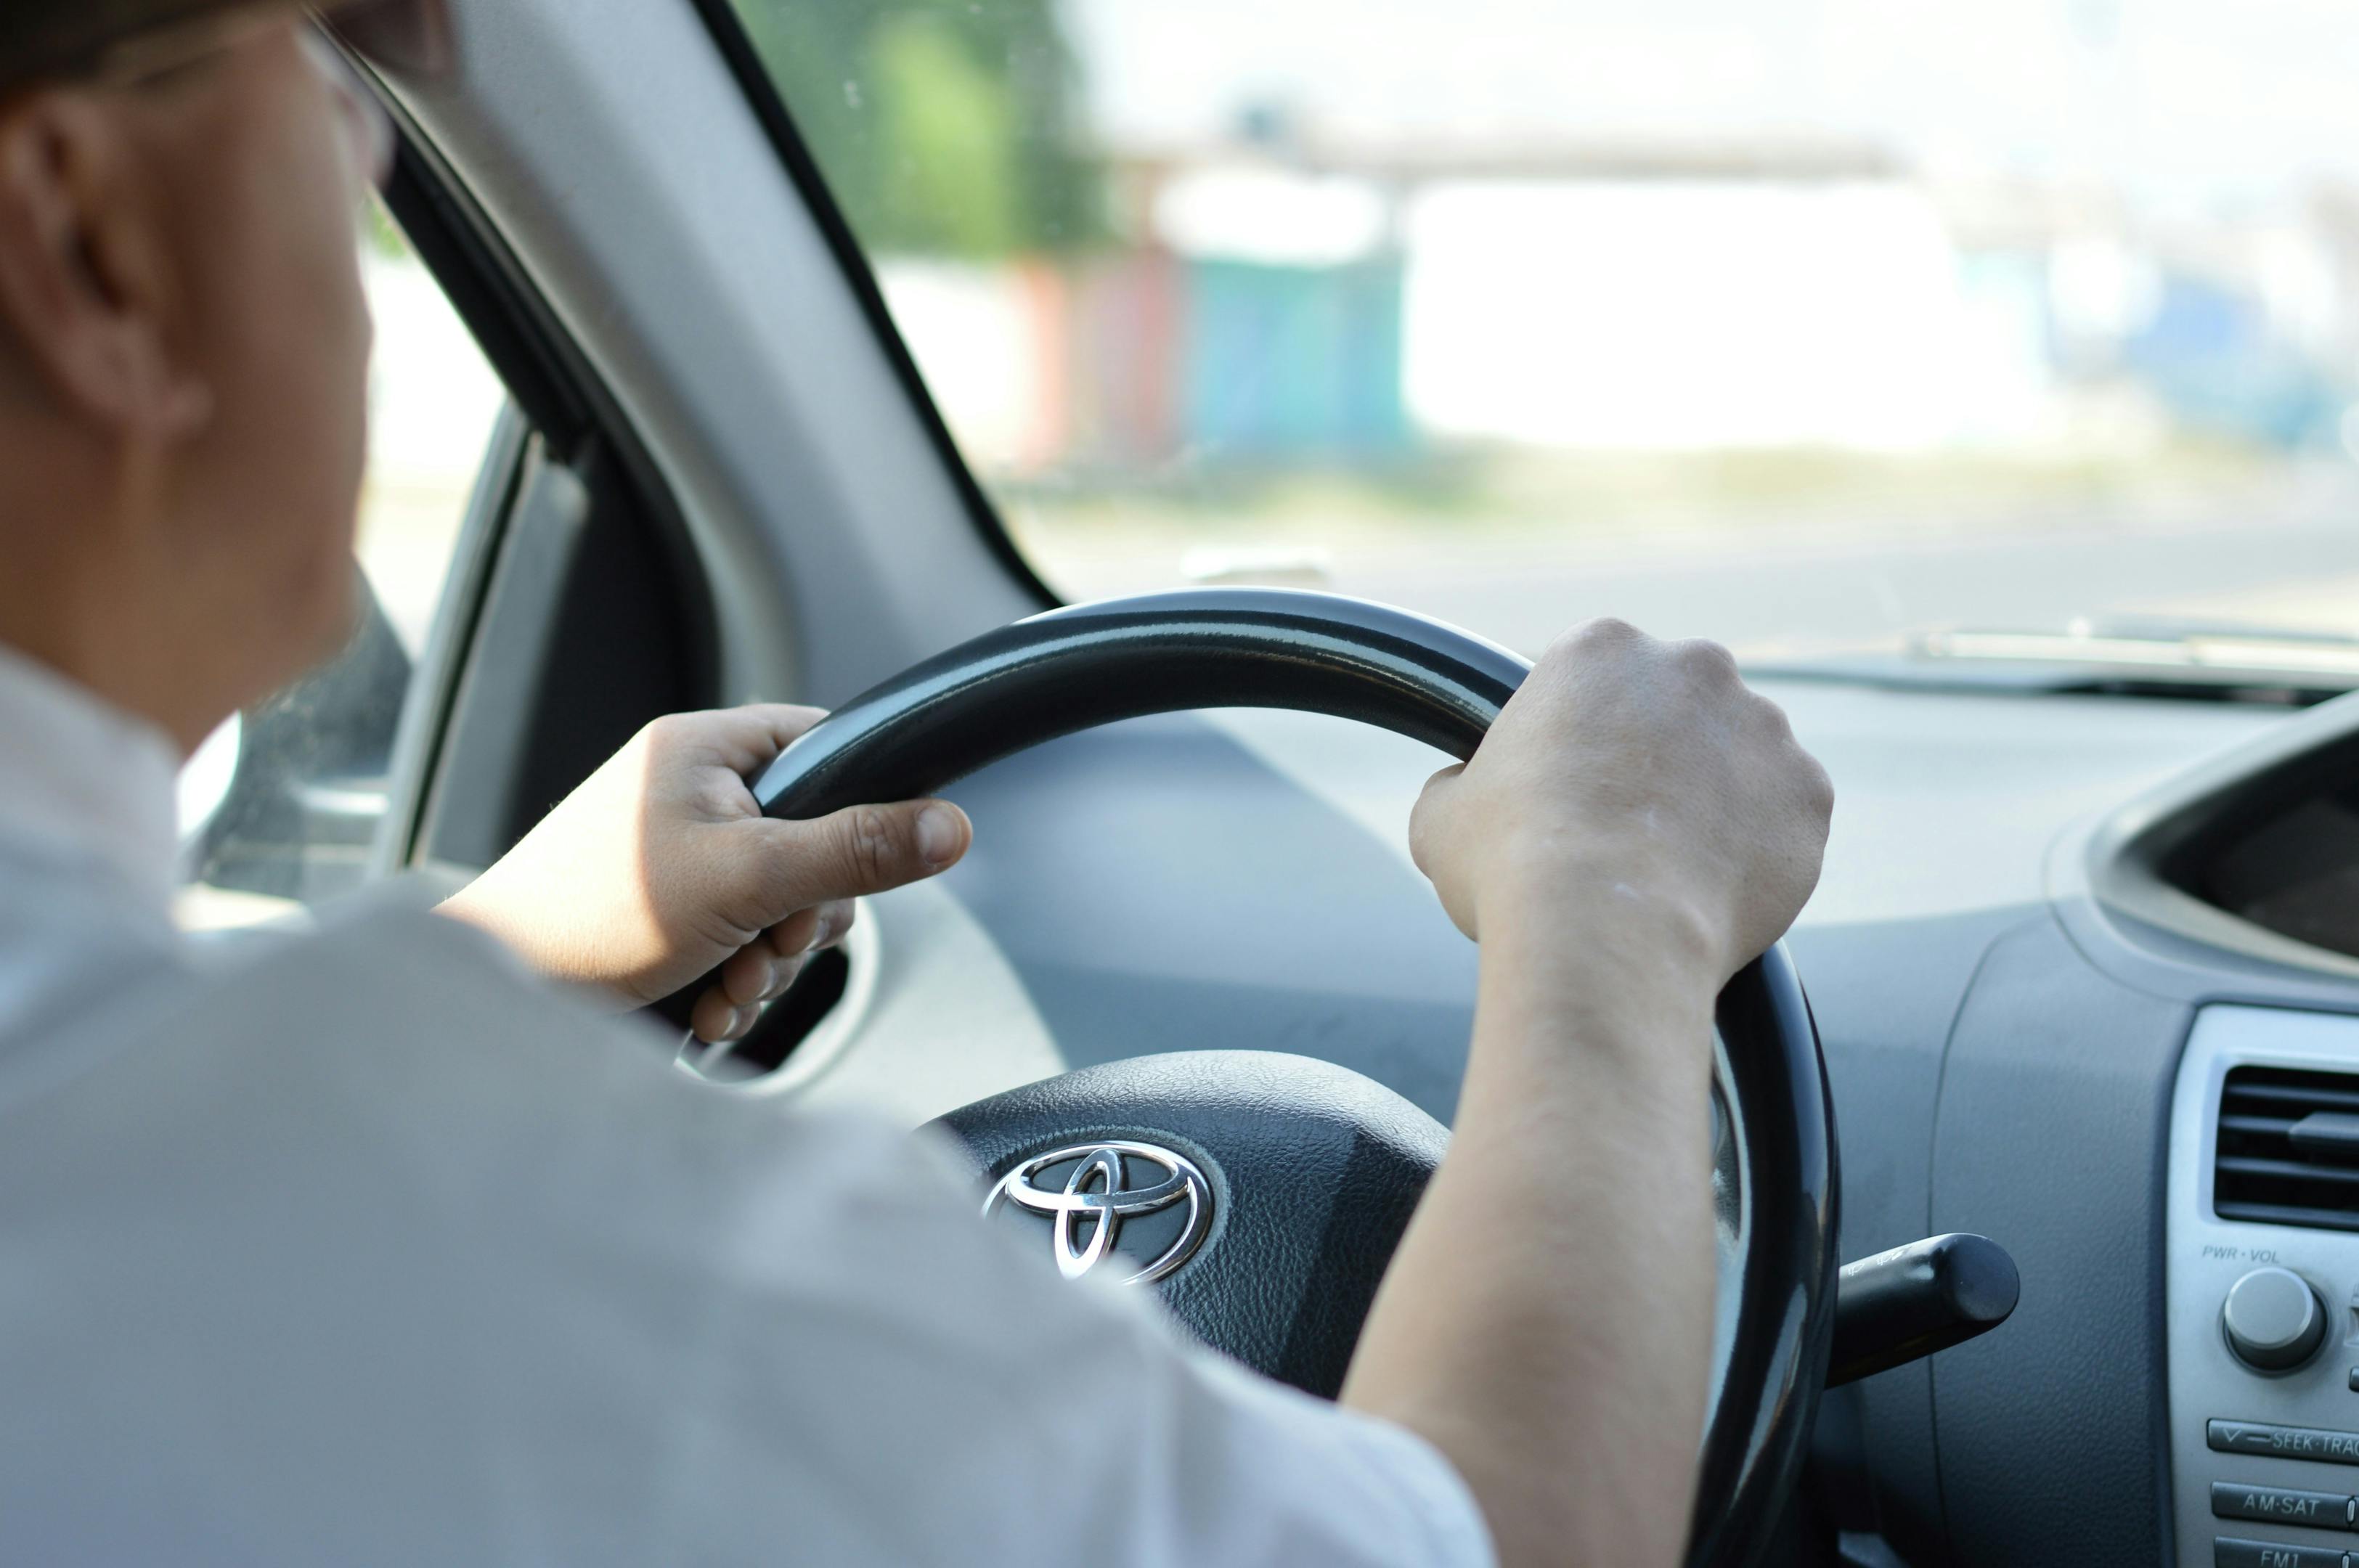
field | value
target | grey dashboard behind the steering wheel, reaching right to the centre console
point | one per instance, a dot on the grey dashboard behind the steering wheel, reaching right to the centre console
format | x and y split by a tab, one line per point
2009	970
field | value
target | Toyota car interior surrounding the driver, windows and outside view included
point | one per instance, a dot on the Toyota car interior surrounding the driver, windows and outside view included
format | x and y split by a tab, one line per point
1174	435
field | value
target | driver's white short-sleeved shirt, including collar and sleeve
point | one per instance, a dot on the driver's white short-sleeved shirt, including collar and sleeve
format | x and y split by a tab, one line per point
369	1251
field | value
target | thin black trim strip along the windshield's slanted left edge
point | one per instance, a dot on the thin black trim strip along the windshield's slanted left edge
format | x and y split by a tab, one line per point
803	171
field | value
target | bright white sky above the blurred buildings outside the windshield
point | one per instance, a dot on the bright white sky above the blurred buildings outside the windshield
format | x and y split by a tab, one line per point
2190	107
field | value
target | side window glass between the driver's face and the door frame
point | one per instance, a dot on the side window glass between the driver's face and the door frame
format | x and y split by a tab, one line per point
287	803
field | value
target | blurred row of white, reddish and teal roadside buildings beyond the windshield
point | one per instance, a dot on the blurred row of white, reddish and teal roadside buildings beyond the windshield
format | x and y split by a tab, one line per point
1270	303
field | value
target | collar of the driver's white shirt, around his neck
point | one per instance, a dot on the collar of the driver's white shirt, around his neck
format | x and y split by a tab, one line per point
91	784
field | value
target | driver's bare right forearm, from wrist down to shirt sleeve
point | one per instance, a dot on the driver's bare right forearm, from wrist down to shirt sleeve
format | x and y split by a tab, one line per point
1549	1317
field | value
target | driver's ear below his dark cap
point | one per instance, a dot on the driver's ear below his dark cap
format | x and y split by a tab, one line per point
84	270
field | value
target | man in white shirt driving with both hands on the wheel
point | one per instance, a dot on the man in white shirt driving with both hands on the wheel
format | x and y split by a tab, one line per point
381	1246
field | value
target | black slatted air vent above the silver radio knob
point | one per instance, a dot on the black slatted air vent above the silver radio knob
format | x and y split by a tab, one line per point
2289	1149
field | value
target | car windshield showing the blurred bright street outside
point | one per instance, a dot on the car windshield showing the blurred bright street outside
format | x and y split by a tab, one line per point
1799	324
